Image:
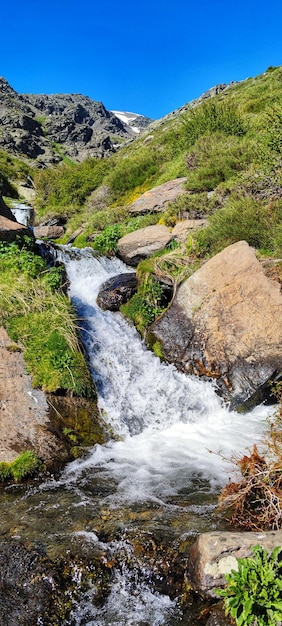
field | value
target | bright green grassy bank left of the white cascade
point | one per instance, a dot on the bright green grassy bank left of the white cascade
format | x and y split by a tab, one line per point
37	314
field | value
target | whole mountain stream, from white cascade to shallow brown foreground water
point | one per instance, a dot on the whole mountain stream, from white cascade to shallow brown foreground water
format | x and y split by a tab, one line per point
138	501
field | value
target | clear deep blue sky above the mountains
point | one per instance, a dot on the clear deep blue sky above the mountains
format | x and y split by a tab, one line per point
148	57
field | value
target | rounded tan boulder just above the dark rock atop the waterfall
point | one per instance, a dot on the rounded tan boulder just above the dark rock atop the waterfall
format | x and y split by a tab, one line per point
142	243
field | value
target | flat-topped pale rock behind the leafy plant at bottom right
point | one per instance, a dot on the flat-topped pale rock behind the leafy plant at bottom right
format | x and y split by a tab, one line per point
215	554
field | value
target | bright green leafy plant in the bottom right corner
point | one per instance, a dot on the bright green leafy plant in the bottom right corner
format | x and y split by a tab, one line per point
253	596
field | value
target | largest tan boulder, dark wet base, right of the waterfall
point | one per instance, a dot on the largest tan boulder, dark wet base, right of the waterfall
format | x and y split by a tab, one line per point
225	322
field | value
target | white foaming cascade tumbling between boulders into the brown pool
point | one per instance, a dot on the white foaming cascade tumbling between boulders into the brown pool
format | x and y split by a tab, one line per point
170	427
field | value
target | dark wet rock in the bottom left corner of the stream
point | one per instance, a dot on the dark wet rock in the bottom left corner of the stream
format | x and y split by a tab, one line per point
36	590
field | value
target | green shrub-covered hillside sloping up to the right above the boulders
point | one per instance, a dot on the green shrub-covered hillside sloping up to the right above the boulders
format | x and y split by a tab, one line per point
229	147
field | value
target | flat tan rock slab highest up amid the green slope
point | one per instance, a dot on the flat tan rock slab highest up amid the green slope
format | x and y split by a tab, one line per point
156	199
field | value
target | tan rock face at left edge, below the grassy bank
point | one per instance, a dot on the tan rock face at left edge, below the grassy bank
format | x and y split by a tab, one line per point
24	422
